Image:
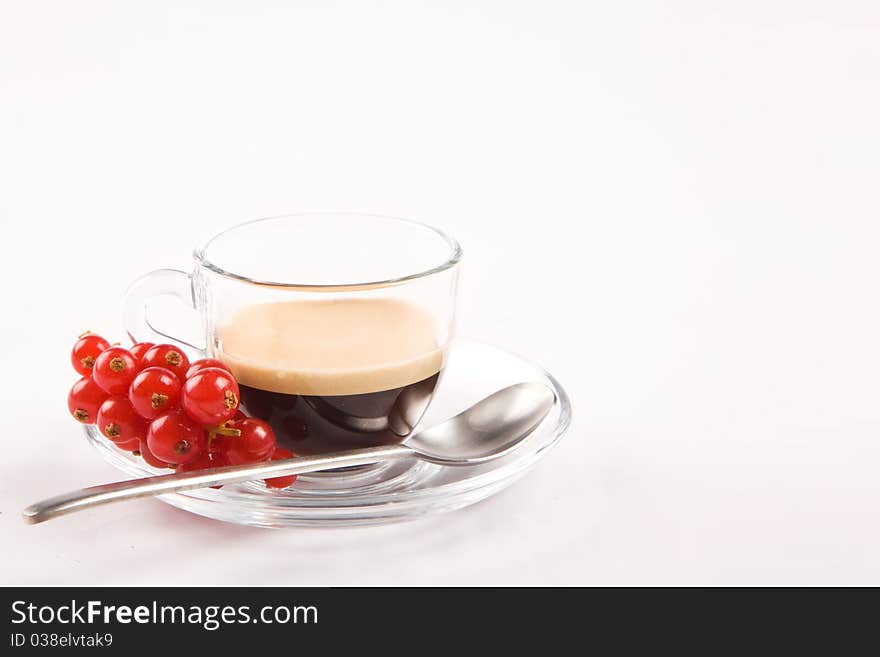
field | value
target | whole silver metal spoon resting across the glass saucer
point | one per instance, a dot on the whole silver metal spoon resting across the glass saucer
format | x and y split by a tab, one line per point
488	430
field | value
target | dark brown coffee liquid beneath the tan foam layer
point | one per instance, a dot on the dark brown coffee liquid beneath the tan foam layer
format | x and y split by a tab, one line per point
321	424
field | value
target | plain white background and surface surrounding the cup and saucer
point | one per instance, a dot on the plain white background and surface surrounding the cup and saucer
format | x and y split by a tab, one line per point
673	206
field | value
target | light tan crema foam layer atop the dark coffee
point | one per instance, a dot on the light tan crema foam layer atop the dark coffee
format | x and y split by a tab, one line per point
330	347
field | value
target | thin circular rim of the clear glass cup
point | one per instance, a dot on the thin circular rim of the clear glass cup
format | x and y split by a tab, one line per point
453	257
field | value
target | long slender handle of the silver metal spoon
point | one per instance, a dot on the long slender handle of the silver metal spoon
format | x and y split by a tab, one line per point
159	485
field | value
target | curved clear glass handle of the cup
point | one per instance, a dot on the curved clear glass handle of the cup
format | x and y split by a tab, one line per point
136	304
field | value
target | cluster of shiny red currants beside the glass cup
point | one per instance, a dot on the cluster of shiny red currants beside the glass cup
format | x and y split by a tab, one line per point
150	400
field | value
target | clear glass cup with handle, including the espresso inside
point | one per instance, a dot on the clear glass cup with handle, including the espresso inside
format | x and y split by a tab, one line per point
335	325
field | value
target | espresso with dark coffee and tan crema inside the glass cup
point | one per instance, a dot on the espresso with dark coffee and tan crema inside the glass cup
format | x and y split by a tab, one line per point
330	375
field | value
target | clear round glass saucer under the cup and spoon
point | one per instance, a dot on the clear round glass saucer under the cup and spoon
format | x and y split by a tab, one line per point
385	492
